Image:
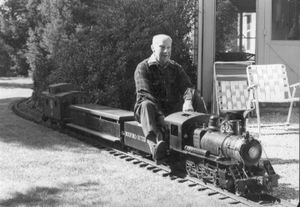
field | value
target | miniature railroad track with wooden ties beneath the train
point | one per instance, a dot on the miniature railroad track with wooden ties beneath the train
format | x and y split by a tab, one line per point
166	171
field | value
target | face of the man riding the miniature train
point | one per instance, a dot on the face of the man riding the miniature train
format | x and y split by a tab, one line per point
161	49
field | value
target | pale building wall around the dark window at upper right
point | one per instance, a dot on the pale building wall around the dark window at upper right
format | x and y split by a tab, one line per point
271	50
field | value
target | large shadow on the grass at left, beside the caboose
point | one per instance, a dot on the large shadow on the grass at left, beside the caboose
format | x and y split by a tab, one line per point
19	131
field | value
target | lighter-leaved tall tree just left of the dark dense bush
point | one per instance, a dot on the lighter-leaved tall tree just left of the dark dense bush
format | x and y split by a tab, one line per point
49	26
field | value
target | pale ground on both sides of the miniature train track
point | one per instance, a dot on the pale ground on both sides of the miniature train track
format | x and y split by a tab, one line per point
42	167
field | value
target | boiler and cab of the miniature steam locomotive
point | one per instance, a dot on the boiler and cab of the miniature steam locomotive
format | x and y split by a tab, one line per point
194	133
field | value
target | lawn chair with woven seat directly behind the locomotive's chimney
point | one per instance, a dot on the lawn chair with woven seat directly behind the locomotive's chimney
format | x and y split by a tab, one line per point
231	90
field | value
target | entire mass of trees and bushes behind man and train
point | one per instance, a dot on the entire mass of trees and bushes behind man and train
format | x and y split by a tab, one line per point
95	44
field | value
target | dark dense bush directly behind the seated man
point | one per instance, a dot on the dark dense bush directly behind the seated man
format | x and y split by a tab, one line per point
102	56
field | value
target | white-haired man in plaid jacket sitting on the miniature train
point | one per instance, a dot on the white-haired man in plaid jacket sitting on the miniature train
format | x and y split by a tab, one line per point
162	88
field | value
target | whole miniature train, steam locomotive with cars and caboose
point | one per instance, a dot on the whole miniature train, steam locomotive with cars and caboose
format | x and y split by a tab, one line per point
229	159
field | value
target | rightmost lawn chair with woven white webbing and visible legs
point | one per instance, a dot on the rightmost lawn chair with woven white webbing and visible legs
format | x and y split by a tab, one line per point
269	84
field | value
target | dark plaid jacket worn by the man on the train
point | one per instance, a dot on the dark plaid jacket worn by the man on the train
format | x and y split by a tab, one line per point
166	86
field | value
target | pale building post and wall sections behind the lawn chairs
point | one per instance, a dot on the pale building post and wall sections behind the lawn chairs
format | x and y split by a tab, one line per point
267	51
